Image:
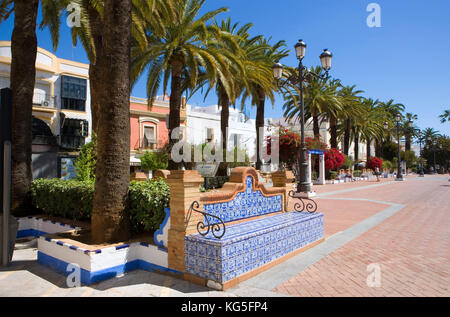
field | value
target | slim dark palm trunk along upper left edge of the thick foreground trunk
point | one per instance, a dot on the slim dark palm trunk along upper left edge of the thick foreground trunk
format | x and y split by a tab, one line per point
95	67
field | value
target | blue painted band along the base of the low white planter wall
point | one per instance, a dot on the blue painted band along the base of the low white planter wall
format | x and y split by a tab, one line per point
88	277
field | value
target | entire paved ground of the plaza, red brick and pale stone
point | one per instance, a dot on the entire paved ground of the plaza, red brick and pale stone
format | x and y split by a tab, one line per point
399	230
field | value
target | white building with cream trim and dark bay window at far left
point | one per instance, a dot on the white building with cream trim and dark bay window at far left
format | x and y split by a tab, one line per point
61	101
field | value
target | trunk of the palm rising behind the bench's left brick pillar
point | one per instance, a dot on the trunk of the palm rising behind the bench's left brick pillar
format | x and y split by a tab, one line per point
175	106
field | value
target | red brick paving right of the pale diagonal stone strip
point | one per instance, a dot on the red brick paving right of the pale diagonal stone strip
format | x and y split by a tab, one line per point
411	247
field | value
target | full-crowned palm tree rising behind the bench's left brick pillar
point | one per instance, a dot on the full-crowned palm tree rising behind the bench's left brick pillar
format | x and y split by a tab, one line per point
178	54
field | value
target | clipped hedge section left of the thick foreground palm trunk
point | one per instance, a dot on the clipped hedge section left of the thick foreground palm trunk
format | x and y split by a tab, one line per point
70	199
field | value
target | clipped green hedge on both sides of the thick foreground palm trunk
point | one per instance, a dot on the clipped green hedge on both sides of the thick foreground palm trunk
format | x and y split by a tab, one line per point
74	200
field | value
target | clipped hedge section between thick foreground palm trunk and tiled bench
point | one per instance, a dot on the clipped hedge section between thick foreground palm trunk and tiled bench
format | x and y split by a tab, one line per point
147	201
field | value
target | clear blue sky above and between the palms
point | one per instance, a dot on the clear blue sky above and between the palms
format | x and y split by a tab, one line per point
407	59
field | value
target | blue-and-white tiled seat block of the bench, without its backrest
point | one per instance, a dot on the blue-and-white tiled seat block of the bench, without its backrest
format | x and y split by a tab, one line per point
249	245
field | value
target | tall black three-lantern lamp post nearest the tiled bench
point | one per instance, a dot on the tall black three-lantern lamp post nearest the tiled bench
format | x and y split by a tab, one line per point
298	80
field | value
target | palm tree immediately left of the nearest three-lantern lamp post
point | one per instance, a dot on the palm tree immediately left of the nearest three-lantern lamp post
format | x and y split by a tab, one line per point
260	57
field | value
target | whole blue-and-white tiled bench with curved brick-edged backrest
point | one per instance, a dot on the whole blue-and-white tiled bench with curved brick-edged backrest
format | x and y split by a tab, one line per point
253	231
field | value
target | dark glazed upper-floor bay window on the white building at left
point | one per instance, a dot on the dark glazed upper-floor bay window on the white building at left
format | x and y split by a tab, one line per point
73	93
